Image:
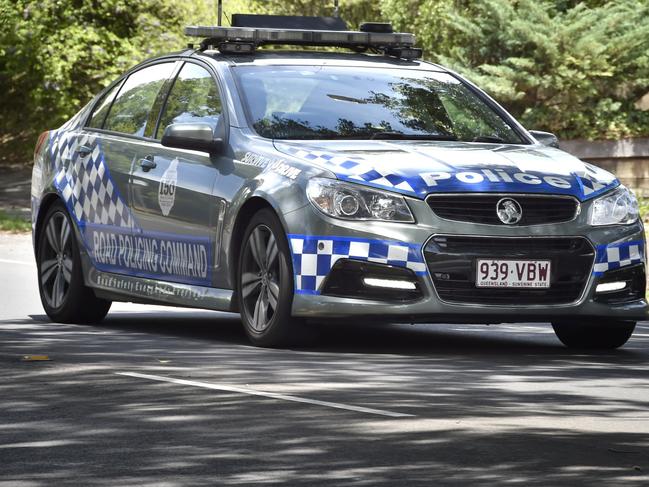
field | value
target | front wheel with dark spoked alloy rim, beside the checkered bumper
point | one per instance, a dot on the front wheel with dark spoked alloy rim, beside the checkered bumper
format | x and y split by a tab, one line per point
265	283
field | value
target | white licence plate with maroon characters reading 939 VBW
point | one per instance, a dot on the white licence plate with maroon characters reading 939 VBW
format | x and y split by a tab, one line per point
513	273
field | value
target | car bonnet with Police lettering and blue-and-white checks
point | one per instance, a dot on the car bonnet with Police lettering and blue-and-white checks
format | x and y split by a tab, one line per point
416	168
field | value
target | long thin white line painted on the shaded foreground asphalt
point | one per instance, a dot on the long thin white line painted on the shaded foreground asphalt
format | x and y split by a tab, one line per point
253	392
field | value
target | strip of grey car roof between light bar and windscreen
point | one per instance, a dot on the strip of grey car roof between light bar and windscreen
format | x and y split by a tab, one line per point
315	58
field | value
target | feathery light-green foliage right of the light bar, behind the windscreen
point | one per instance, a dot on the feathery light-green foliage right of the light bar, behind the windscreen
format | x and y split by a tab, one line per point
574	68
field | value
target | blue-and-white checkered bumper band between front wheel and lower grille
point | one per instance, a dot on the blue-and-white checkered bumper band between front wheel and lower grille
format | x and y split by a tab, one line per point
314	256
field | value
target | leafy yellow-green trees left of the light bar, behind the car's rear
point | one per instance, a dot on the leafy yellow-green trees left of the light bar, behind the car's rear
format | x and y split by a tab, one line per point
56	54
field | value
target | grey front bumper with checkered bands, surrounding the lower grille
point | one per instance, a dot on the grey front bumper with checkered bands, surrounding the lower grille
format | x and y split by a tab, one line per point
430	307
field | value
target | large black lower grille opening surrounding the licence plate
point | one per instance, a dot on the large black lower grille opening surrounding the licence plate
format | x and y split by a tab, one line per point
451	261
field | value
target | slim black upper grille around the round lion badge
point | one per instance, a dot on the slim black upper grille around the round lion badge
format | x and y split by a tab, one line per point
481	208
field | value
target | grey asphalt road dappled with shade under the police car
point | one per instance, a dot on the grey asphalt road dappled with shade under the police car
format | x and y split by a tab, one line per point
377	406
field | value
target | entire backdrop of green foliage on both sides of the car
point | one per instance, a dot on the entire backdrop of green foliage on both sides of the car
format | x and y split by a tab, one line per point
573	67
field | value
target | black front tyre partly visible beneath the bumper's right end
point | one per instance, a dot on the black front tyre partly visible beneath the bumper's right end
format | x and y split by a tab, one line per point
602	336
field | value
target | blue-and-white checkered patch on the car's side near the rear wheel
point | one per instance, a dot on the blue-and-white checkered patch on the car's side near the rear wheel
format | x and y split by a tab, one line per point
84	182
